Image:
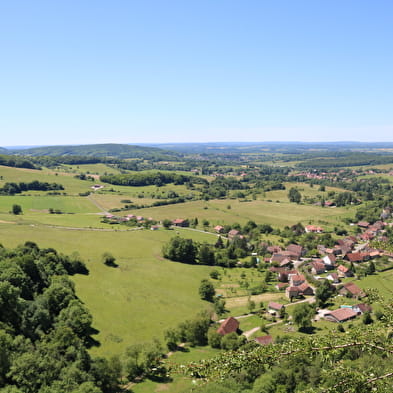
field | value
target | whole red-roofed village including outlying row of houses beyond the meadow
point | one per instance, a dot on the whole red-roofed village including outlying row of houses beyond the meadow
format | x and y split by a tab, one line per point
298	275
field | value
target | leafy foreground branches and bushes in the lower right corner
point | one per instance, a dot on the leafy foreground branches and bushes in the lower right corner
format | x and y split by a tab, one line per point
356	361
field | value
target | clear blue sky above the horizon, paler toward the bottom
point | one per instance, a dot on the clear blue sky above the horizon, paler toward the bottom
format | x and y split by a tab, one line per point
75	72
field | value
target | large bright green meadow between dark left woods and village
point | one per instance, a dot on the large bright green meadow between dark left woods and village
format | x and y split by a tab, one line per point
136	301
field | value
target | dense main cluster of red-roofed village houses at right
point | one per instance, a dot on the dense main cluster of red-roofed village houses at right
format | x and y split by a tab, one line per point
298	276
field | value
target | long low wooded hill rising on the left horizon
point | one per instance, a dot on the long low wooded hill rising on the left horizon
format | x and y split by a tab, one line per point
100	150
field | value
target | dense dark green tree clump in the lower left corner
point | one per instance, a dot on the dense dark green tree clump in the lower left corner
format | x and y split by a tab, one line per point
45	329
